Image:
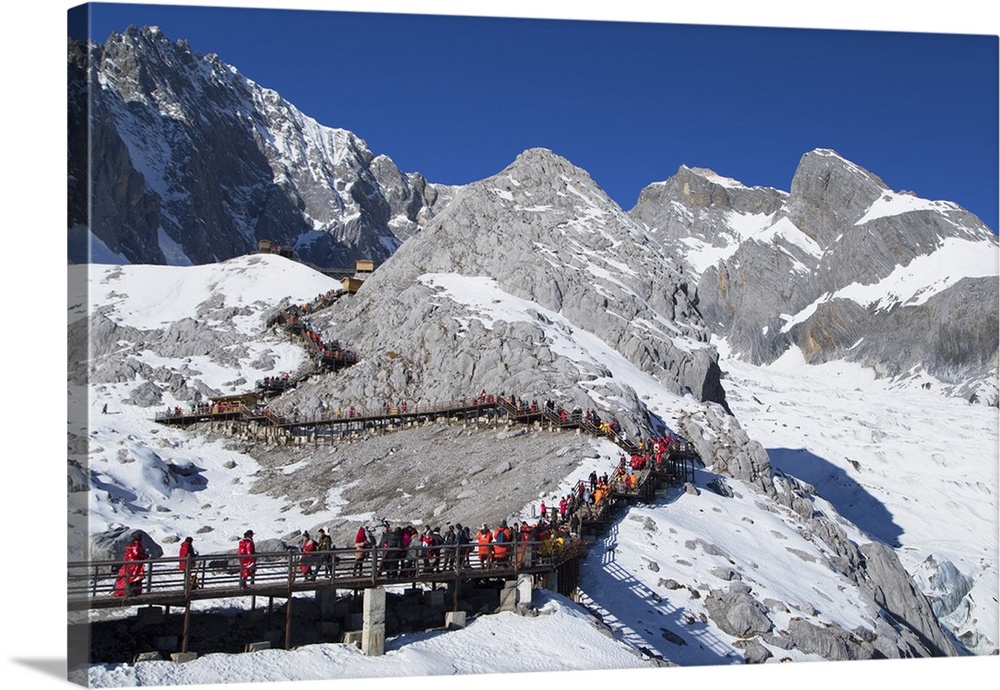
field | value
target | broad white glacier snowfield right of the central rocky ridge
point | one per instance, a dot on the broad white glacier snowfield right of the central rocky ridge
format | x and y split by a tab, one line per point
910	467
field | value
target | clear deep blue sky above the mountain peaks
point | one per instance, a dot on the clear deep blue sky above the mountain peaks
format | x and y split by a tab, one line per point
457	98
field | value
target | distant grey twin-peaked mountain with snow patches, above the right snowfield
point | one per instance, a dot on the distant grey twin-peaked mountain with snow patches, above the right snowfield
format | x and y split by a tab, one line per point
842	267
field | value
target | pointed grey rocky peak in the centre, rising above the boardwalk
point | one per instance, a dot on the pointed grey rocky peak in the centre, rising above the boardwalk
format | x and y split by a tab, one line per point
539	232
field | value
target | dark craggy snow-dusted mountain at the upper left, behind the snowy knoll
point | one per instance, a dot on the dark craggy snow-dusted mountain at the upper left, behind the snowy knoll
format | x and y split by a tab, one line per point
157	120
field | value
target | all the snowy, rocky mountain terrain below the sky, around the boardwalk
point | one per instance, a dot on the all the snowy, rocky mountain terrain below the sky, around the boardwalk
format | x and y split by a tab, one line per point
800	340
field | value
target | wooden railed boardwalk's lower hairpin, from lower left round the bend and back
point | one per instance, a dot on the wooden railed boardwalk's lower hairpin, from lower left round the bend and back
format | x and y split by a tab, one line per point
282	575
